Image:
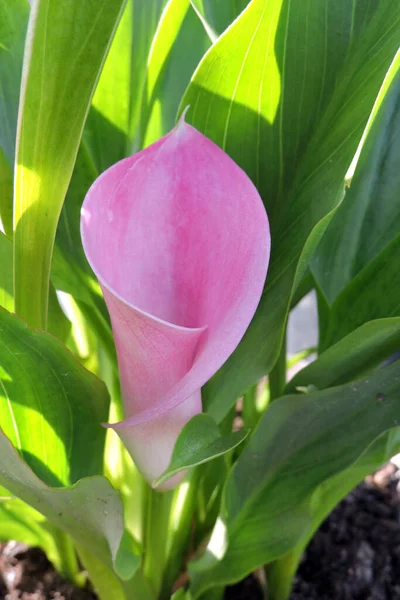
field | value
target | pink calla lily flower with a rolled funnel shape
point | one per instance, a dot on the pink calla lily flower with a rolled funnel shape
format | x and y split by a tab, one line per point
178	238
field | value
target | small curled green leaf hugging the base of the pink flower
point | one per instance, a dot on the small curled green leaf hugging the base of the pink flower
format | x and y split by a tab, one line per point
199	442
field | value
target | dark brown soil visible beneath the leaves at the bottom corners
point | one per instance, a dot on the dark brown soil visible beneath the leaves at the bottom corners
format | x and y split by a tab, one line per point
354	556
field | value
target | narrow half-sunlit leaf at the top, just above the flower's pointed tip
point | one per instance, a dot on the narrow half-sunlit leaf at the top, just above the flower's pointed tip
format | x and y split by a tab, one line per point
178	45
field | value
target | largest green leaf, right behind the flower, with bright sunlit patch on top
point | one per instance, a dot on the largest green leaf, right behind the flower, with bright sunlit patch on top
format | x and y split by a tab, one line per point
287	91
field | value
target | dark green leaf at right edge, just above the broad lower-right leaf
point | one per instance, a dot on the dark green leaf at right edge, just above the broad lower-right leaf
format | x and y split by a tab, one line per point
373	294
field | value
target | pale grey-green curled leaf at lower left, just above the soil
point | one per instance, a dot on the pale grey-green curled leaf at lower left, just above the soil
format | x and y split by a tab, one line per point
91	511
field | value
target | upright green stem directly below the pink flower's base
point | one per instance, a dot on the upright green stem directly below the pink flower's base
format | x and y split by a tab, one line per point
156	538
